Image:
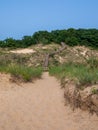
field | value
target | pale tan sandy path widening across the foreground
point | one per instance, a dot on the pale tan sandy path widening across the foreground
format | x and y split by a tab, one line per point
40	106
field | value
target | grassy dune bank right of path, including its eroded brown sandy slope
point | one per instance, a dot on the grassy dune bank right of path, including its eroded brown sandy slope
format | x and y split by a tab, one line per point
80	83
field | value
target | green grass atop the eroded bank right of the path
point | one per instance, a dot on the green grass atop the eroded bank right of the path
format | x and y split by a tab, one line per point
82	74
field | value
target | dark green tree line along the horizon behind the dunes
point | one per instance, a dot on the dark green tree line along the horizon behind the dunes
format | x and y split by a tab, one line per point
72	37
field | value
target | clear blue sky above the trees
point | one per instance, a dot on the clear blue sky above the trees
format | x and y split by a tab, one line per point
24	17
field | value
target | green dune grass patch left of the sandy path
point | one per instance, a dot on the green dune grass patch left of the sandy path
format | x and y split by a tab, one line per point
22	72
